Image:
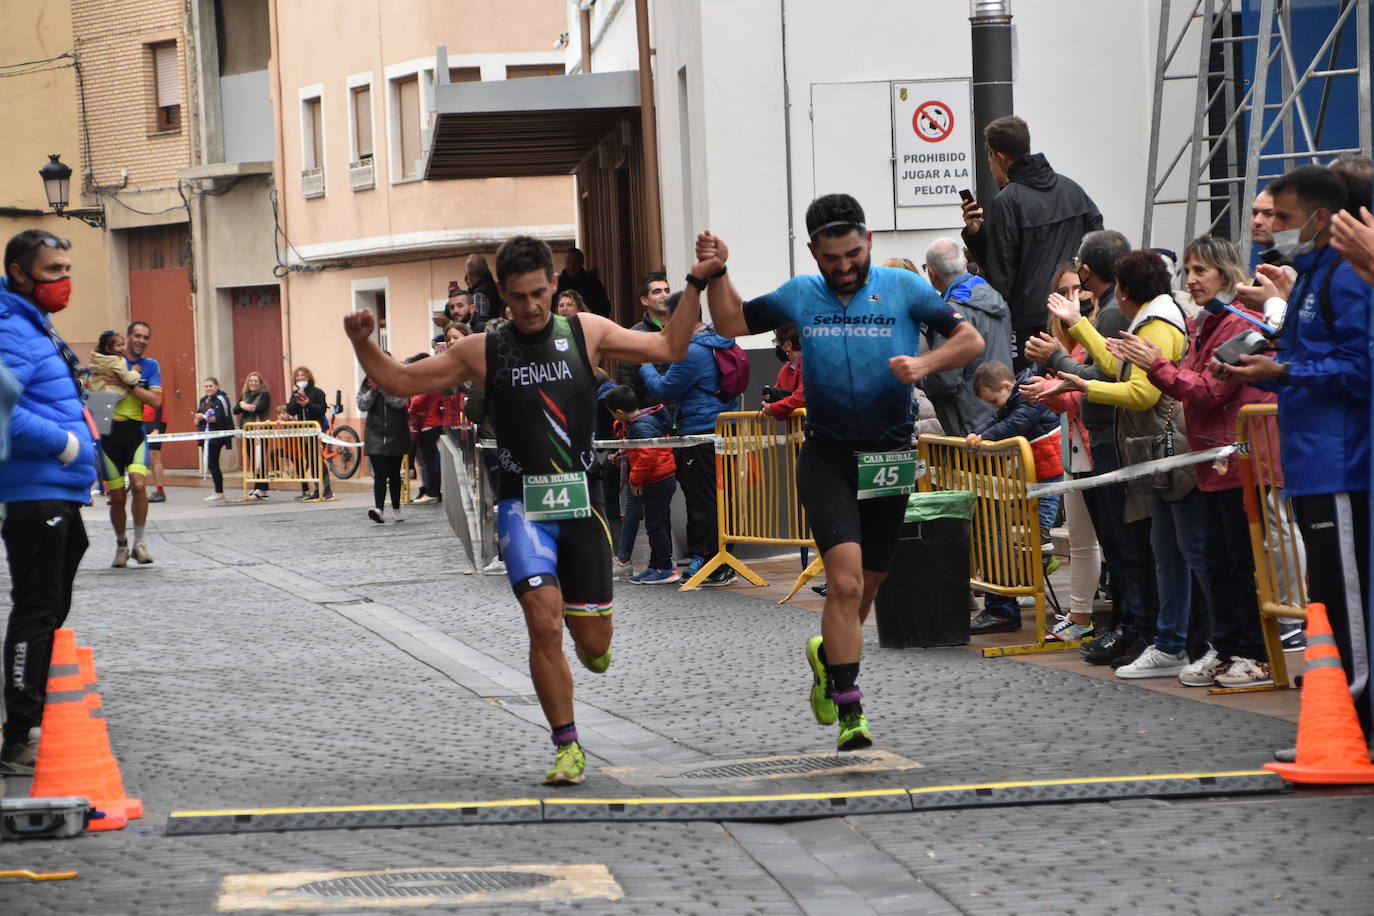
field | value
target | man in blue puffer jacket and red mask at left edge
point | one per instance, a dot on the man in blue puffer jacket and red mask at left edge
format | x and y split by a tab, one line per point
45	483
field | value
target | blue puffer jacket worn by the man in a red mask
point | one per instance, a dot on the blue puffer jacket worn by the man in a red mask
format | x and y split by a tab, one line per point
49	409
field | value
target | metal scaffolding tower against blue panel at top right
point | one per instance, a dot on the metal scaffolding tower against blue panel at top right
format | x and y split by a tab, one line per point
1225	149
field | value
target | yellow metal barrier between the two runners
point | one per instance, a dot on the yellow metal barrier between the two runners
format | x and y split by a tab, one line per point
756	491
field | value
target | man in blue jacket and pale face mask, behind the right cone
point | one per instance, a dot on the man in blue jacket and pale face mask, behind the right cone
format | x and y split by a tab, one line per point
1322	377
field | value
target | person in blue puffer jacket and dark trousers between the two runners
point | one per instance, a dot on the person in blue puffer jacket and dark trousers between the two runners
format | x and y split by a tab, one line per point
695	385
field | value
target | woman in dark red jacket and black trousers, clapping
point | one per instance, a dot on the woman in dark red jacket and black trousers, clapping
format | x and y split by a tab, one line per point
1237	657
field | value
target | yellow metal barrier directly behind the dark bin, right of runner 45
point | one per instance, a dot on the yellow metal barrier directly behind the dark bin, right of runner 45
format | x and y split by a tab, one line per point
1006	523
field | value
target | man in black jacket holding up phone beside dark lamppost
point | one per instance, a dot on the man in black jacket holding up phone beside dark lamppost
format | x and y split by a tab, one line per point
1035	223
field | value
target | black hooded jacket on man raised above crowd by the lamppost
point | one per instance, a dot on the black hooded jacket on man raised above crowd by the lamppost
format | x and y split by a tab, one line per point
1034	225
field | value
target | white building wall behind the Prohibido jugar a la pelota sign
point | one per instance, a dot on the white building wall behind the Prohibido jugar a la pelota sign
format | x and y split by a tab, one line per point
1083	82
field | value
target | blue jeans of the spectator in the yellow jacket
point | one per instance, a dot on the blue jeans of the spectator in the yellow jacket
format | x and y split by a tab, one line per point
1178	536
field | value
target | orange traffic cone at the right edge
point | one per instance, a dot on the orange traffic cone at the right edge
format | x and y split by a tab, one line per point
1331	744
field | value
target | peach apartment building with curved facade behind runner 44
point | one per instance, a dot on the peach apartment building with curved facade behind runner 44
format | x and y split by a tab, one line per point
359	225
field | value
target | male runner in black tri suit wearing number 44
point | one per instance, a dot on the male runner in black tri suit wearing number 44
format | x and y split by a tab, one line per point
538	376
